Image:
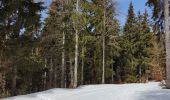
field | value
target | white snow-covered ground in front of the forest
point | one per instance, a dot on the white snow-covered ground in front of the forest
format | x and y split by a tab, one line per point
149	91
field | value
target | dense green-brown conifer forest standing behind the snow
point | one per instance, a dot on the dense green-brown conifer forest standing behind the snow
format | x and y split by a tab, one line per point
80	42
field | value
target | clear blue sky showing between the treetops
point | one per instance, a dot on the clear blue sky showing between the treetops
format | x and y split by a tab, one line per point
122	7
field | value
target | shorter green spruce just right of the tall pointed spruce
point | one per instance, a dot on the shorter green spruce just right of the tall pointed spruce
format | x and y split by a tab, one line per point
144	45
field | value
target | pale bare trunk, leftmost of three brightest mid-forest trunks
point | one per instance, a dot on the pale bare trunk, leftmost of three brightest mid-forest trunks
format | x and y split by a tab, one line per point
63	63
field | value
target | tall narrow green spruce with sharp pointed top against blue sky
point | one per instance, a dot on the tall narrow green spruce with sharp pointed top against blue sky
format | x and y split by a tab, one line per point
129	37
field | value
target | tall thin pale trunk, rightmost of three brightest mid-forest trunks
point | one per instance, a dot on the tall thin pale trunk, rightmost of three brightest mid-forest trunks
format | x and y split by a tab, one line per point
103	44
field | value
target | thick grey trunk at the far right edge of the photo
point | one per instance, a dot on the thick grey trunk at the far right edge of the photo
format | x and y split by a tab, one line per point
167	42
